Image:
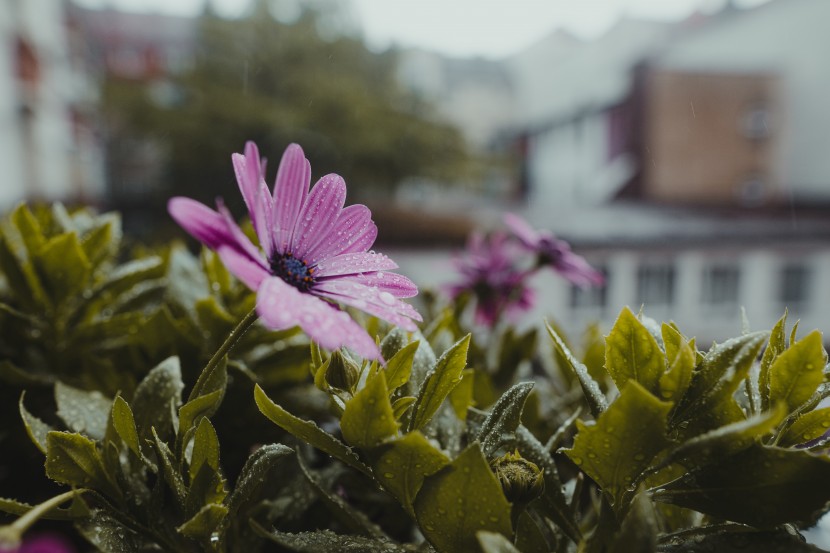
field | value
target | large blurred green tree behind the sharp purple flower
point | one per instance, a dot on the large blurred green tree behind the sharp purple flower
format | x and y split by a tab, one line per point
256	78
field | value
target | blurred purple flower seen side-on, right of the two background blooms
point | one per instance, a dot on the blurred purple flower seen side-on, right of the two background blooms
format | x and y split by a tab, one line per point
554	253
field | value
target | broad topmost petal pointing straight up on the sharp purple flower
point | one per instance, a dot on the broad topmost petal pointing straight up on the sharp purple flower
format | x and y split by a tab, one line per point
290	192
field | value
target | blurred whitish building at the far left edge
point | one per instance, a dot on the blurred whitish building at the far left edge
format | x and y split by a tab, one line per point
50	149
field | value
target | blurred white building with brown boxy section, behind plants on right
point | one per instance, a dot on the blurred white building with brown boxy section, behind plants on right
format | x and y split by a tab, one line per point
686	160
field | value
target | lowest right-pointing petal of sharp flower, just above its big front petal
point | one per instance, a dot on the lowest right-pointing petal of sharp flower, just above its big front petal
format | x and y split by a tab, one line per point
374	301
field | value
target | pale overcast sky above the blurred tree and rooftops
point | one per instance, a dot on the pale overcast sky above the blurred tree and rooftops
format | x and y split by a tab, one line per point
490	28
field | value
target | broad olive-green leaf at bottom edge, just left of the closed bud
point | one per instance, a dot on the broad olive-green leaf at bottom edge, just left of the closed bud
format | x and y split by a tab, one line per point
461	500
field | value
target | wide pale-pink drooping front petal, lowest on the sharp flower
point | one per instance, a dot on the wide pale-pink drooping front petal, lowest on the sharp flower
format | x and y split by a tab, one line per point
282	306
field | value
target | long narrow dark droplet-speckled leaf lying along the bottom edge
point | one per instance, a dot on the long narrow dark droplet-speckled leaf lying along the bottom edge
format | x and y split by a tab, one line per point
326	541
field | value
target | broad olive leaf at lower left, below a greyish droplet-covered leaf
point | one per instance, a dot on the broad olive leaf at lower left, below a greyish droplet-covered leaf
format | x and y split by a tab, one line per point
74	460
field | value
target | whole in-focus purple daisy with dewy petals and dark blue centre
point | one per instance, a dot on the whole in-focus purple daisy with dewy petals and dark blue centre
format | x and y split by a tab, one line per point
313	252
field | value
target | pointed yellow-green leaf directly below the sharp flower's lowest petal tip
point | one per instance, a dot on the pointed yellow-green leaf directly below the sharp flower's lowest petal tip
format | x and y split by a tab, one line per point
368	418
